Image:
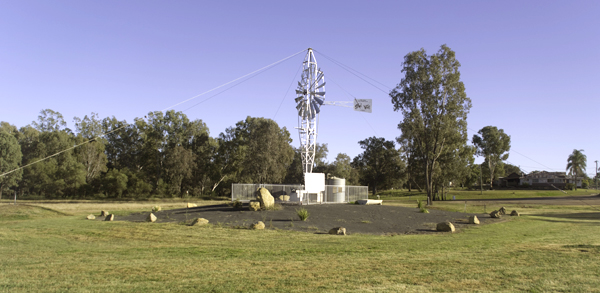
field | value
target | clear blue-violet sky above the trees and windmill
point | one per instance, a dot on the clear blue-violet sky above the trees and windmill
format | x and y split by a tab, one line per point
530	67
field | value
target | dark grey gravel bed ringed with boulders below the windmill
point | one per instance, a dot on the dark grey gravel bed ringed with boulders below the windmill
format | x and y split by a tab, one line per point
364	219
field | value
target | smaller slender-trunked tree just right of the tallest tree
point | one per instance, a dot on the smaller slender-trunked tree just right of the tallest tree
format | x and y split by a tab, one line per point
493	145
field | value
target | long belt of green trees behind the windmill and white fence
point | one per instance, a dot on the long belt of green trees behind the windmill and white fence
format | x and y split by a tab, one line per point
167	155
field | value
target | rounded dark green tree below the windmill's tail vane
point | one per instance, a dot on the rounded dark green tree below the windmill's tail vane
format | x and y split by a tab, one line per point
380	165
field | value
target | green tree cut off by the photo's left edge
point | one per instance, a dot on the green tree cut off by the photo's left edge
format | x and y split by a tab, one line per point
10	159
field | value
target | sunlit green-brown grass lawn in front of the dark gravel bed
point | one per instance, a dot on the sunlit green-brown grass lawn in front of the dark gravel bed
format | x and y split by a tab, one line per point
52	248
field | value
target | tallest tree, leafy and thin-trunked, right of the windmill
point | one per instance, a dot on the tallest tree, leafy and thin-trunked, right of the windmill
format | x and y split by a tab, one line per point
434	106
